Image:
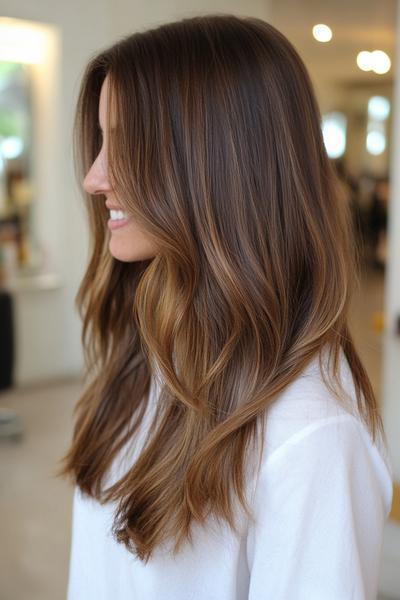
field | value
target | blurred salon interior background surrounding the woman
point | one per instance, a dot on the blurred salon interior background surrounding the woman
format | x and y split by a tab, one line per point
43	239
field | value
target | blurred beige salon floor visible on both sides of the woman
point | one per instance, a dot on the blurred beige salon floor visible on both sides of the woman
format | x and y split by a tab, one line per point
35	507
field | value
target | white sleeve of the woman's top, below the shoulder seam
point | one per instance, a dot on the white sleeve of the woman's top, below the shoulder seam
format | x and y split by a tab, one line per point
321	502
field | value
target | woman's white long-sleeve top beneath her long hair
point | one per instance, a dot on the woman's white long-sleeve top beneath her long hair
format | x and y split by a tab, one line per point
320	503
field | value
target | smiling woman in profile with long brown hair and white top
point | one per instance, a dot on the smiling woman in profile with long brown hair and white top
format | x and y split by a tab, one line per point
228	444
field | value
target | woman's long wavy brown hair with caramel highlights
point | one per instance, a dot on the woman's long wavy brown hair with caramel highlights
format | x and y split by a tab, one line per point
219	156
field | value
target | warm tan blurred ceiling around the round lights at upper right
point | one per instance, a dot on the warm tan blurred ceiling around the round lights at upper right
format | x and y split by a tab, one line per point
356	25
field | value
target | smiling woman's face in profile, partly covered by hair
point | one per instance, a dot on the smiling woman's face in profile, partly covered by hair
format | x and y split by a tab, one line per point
127	242
